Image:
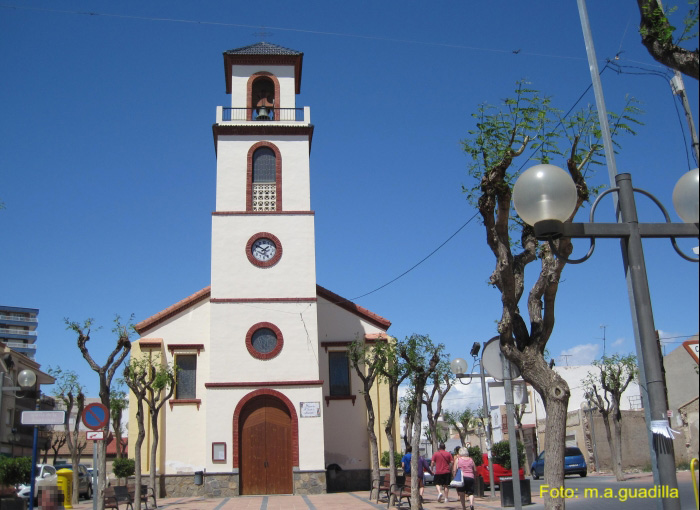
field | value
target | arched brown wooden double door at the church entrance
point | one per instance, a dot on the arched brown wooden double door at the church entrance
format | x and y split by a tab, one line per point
265	447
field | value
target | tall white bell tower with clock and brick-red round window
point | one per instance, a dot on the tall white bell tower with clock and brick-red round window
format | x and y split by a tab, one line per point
263	316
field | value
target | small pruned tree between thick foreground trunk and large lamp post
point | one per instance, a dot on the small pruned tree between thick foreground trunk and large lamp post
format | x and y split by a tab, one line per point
604	388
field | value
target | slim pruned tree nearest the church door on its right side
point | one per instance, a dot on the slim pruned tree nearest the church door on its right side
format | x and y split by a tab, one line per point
367	361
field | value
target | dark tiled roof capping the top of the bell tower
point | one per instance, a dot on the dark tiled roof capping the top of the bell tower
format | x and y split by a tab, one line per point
263	53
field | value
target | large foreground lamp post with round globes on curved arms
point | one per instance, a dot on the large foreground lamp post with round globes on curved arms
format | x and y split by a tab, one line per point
545	197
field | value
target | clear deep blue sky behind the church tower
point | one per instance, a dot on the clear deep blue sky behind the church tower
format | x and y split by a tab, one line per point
107	163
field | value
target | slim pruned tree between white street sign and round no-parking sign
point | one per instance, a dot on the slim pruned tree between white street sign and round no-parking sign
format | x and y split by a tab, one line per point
70	393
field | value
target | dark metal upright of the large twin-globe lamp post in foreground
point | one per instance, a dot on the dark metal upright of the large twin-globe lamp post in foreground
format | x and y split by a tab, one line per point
648	356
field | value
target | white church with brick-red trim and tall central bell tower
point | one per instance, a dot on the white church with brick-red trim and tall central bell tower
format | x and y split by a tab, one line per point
266	401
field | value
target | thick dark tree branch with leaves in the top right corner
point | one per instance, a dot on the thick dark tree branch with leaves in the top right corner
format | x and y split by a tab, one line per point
664	42
